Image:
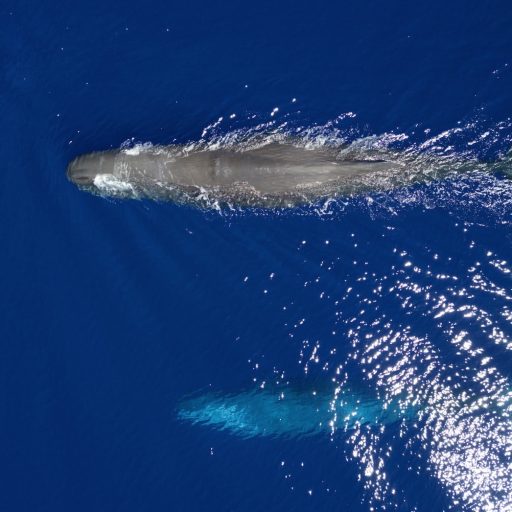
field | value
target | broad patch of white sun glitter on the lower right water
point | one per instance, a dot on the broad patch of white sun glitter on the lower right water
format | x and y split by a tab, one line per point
435	336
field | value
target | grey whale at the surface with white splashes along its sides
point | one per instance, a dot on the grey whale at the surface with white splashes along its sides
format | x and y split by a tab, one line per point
274	174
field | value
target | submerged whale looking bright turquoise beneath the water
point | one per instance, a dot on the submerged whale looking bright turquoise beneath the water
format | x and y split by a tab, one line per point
289	412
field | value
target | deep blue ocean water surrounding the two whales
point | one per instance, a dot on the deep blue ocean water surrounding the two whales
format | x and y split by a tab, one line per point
112	311
